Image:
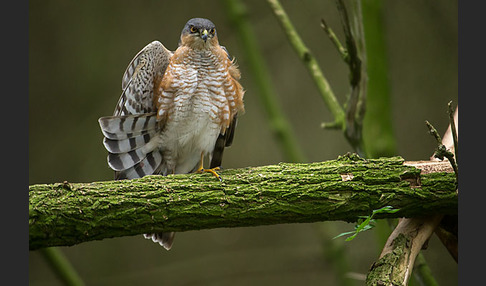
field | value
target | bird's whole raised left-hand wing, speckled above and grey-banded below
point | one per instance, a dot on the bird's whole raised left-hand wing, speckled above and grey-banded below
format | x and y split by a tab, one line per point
130	134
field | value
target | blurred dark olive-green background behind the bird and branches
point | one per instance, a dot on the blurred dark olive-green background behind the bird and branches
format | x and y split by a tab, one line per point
78	51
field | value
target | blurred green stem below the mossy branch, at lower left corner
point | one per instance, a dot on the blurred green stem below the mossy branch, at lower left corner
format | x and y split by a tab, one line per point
61	266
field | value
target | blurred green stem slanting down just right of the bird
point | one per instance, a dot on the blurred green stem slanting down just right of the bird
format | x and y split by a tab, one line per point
238	15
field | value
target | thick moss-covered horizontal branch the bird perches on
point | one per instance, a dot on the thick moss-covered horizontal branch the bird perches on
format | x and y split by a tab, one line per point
64	214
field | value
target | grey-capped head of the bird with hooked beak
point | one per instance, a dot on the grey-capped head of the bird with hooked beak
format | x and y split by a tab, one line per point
199	33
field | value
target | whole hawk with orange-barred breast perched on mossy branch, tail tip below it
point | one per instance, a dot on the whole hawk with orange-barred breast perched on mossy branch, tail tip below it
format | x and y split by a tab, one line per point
176	108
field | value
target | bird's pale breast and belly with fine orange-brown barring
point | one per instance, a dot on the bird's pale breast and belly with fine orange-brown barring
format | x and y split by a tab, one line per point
199	109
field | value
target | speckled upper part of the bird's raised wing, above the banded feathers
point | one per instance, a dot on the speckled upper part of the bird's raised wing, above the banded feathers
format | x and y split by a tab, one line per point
144	71
